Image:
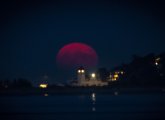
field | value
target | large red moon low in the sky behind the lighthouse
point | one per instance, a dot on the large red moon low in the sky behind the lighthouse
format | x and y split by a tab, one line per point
76	54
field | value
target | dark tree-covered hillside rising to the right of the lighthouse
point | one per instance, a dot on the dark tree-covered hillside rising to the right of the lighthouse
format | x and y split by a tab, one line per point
143	71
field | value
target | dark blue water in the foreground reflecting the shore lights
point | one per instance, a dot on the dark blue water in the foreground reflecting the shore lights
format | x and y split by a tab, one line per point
83	107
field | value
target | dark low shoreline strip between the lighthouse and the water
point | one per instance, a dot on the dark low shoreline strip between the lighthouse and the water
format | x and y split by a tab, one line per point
80	91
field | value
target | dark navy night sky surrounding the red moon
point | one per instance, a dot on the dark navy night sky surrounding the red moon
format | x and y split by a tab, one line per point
31	33
